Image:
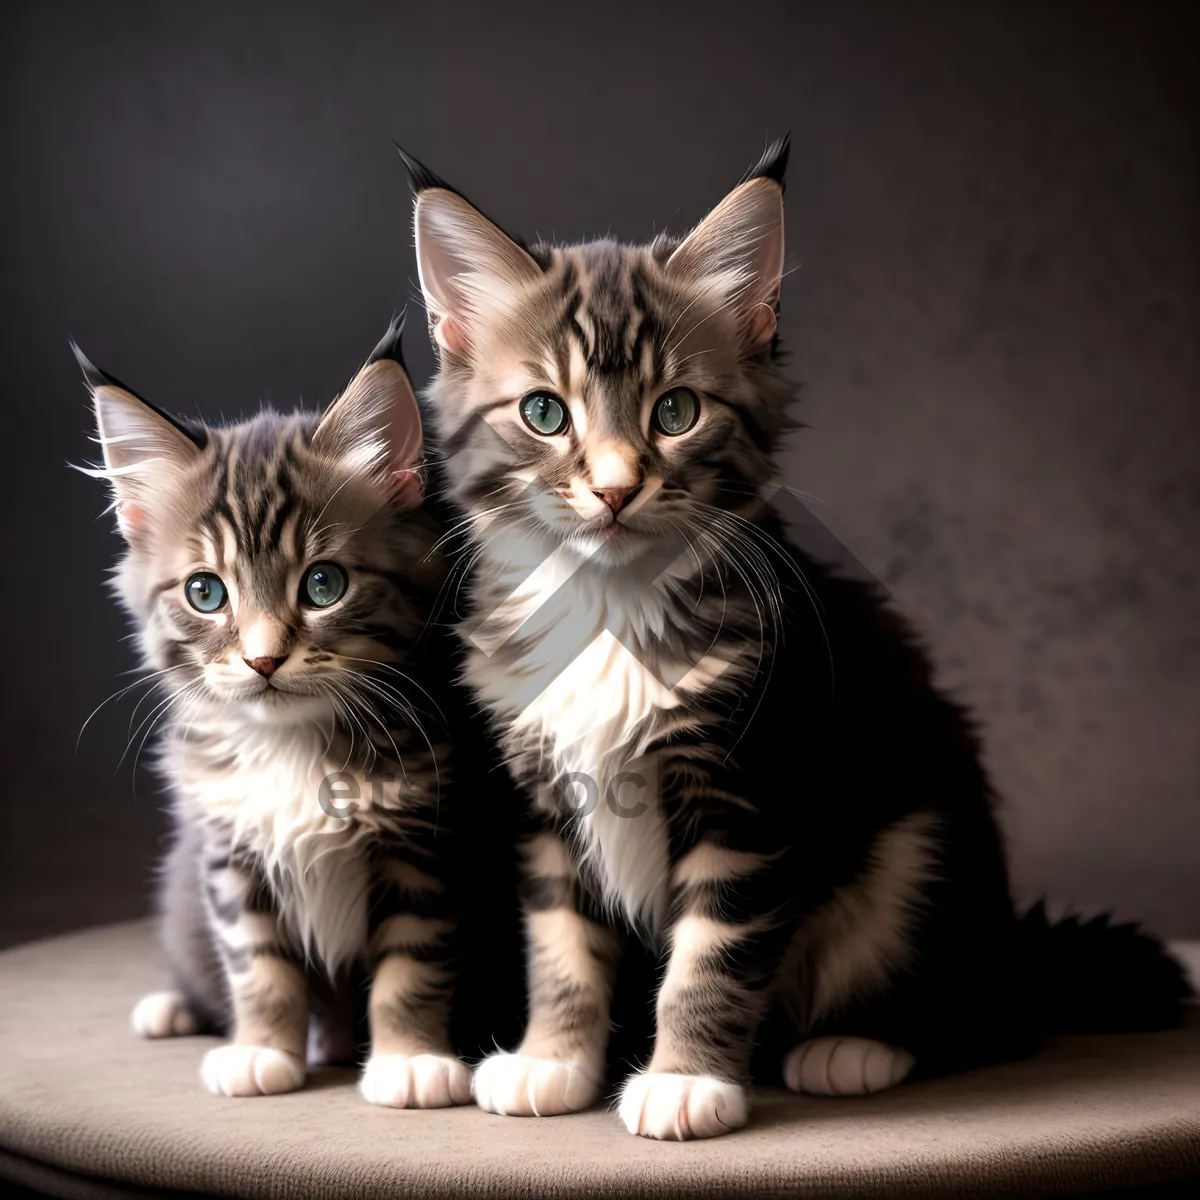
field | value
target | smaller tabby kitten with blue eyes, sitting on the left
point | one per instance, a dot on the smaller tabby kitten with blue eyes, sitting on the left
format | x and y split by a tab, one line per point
281	575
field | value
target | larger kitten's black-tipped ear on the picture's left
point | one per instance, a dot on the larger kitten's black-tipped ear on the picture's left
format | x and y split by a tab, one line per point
471	269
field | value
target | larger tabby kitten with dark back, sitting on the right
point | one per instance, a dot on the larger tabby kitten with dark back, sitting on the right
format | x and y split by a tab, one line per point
727	747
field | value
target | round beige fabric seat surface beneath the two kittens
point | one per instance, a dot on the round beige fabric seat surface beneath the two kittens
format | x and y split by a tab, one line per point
81	1094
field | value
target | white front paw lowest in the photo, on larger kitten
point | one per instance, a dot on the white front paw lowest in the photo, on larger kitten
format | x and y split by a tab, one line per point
676	1108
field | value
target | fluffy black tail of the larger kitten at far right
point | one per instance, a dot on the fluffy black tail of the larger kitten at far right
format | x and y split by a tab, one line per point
1096	977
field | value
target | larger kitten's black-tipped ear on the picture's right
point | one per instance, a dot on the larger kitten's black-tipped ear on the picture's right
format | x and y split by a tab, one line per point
739	249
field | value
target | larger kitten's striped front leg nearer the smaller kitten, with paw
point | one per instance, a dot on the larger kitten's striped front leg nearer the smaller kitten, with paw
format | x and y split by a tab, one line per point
572	964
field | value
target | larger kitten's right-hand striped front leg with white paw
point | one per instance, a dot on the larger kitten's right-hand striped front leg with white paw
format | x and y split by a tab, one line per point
728	940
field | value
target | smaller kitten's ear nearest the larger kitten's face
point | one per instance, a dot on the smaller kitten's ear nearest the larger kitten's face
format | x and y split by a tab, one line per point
375	427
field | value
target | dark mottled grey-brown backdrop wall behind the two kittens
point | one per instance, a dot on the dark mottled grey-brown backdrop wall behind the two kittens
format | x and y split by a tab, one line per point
992	218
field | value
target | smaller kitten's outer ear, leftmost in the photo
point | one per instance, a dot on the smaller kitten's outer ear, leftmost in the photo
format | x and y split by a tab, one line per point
145	448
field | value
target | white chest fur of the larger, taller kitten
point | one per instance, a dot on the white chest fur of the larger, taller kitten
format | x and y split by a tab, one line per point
579	691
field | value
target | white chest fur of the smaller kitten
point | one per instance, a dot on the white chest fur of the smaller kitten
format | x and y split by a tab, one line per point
265	784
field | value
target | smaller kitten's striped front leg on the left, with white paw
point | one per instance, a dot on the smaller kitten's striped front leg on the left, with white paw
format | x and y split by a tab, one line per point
267	986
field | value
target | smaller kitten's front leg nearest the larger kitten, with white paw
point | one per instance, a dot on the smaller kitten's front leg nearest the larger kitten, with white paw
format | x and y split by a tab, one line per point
412	1064
